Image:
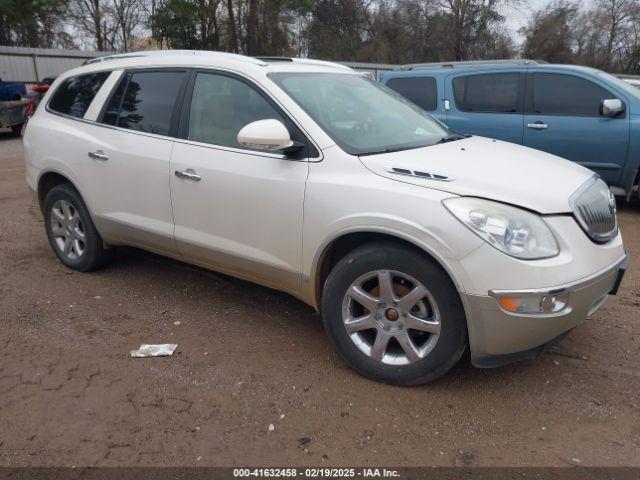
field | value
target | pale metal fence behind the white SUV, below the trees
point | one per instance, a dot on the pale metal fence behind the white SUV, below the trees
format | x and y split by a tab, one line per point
31	65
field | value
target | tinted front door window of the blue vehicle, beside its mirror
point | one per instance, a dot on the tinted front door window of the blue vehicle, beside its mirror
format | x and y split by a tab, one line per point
555	93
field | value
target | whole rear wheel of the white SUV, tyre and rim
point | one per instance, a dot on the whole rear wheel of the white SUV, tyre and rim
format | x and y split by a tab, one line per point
71	231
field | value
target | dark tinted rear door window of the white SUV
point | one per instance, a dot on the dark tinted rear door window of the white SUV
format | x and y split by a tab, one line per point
146	103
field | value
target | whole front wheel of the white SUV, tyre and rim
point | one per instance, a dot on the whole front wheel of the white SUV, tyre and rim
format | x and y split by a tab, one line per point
394	315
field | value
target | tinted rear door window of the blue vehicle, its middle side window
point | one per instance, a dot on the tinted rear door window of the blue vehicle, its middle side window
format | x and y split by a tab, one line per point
494	93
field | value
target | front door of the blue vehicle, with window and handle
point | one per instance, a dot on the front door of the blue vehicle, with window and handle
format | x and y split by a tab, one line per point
563	119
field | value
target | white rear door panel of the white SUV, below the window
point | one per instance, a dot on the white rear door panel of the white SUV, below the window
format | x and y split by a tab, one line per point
129	191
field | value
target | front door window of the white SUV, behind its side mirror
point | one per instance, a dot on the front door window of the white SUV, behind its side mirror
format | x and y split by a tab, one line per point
221	106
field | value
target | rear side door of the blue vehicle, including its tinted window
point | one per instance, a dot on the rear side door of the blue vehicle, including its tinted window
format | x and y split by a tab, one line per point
486	104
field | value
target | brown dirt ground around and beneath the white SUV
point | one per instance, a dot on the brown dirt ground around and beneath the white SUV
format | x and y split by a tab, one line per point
249	357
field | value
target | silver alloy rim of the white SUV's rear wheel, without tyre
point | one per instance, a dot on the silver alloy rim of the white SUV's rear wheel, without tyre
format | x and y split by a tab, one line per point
67	229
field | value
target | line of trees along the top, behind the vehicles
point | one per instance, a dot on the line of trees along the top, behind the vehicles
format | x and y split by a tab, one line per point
600	33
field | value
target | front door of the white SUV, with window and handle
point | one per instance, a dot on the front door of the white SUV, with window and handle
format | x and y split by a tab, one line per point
235	209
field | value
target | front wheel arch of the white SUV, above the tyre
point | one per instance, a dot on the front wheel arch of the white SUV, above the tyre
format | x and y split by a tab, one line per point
344	242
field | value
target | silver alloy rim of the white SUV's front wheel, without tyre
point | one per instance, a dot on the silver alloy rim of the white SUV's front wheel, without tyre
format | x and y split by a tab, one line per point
391	317
